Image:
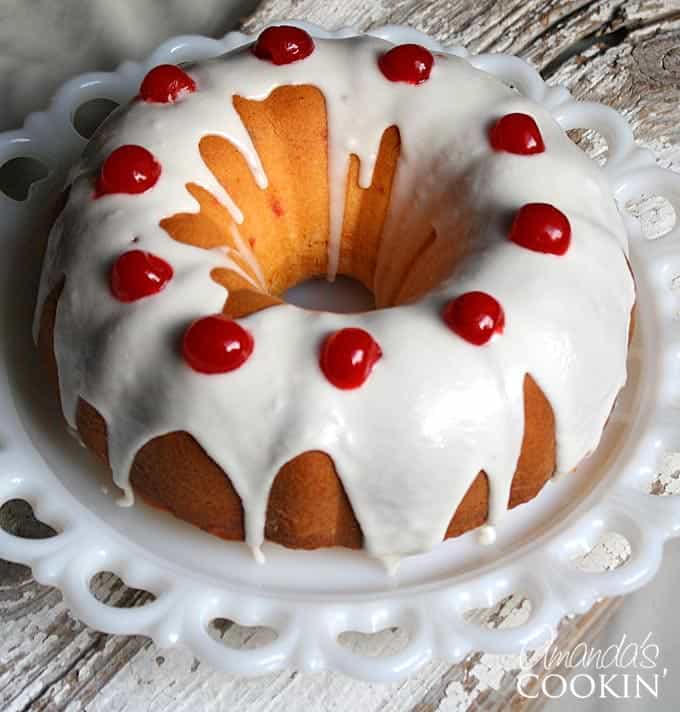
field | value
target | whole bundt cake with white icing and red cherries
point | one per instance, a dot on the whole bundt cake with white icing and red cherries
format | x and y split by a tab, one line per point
491	243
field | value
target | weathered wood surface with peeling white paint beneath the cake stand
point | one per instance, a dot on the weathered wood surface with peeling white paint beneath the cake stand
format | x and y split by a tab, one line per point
626	54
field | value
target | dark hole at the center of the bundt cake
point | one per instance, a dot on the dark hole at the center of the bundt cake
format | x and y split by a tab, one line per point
344	296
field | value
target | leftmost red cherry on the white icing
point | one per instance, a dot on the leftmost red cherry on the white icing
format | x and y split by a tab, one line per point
129	169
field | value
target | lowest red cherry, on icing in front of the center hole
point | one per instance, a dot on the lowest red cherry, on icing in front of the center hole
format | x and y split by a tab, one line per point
348	357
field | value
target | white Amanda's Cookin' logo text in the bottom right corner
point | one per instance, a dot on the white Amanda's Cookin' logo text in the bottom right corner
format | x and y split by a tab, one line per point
623	670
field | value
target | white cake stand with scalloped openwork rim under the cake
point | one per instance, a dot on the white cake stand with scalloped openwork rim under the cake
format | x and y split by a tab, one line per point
309	598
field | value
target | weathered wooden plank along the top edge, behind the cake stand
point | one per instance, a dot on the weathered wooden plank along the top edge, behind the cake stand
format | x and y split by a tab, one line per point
540	30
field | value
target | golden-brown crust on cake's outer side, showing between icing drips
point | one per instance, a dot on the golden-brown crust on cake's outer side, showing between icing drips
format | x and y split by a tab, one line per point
308	506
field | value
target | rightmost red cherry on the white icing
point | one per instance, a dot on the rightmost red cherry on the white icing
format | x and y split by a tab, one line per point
542	228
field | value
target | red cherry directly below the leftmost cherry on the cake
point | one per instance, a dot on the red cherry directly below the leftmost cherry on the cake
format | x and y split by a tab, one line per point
137	274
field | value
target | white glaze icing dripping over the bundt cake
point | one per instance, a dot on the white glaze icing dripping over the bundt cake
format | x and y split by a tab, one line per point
436	410
